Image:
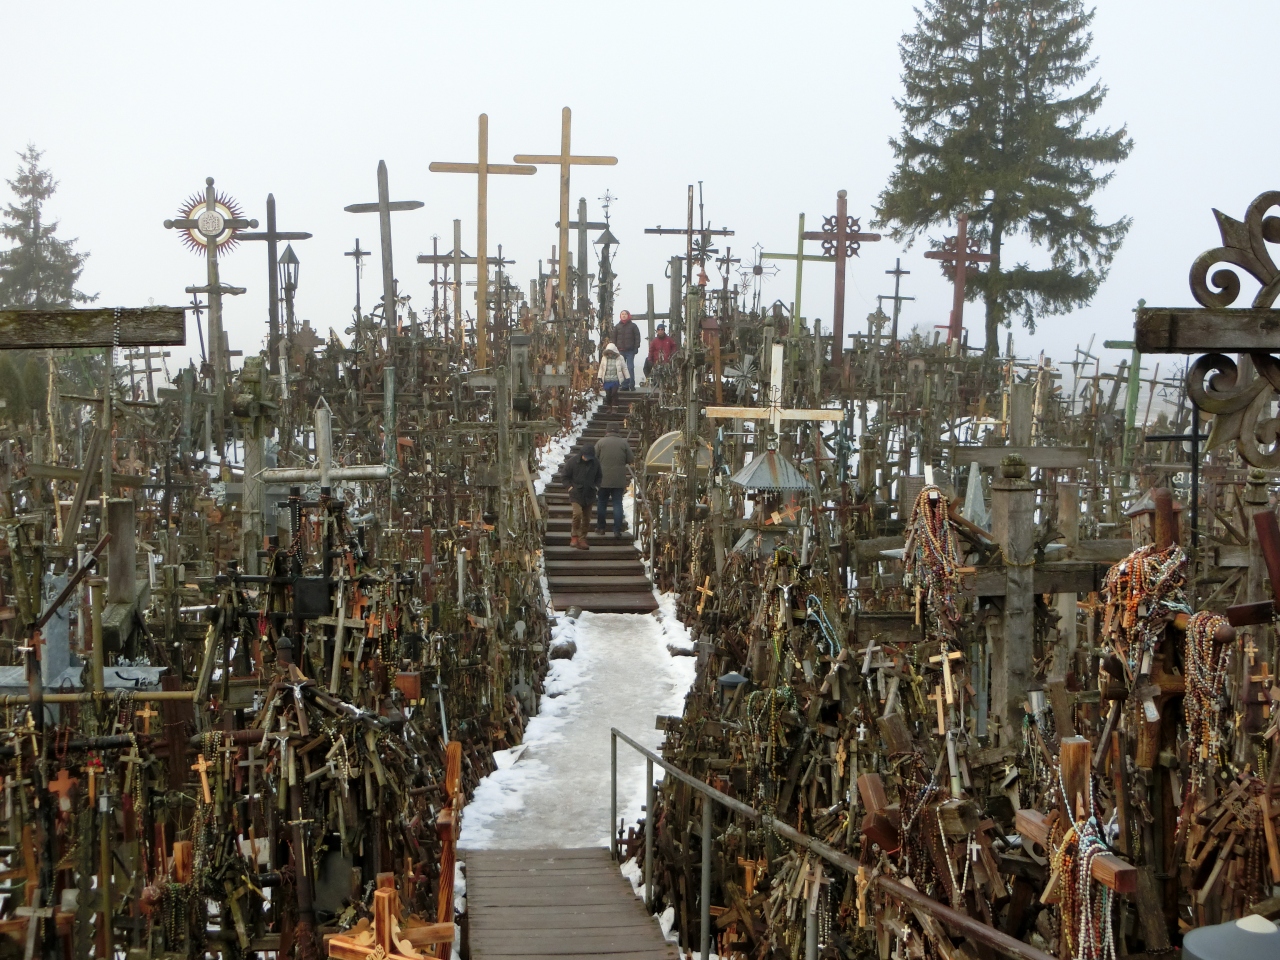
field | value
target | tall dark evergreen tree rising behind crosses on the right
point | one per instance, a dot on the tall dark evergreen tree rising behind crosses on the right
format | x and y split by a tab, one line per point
998	97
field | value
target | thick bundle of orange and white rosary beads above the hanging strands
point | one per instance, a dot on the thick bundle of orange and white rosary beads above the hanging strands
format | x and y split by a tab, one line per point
1141	593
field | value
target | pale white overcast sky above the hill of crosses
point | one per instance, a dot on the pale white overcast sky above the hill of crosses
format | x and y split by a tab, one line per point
774	107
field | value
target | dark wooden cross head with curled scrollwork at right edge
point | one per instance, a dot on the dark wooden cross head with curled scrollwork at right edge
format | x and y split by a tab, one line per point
1241	405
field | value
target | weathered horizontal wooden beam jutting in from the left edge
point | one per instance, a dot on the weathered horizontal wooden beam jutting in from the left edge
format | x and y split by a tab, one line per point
93	327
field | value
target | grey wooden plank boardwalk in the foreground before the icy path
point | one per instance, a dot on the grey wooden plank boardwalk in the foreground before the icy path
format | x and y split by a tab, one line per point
557	903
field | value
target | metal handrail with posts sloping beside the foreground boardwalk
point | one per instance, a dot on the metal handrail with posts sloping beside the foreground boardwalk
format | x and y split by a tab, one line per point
998	940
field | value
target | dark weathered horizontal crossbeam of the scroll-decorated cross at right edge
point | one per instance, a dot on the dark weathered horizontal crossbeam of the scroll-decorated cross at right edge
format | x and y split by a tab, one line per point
1195	331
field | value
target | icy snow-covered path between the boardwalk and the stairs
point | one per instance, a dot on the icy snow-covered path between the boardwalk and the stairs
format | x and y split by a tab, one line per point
554	790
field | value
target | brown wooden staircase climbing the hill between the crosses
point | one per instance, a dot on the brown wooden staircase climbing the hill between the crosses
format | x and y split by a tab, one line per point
609	578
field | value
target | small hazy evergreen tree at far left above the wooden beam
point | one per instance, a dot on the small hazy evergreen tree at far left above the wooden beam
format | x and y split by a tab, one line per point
39	271
